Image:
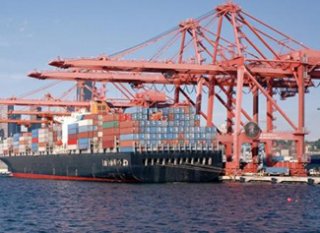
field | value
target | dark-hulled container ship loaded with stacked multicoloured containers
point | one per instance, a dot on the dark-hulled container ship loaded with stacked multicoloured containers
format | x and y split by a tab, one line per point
142	144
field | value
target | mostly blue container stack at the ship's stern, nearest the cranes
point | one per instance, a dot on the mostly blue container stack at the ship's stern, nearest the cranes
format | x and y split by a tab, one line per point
165	128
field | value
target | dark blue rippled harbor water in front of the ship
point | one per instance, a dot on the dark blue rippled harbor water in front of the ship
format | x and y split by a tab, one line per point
63	206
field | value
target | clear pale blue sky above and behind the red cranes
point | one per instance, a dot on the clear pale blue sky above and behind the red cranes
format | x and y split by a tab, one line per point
34	32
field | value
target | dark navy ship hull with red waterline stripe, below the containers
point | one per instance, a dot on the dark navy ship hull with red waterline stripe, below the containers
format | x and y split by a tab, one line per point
151	167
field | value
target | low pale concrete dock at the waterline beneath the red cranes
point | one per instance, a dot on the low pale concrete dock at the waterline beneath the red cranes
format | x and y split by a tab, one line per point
271	179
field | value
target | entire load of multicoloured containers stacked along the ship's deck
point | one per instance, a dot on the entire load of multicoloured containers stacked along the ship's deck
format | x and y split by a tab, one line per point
139	129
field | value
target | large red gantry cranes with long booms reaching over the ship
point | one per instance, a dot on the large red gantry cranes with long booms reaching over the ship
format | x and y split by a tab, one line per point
226	52
